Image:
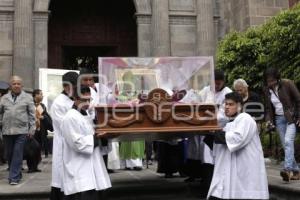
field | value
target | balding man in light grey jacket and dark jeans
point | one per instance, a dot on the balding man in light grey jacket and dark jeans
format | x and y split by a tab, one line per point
17	120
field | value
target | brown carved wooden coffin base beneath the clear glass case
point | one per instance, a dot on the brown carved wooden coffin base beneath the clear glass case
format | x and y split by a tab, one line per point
158	117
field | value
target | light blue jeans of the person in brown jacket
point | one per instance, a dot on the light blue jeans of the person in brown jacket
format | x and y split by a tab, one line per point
287	133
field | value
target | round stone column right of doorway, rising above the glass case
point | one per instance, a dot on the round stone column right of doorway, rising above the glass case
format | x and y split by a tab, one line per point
160	28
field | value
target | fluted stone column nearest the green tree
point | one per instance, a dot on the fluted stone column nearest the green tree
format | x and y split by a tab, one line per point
205	28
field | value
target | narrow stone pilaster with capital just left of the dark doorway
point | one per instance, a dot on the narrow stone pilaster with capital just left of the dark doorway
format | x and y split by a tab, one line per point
40	43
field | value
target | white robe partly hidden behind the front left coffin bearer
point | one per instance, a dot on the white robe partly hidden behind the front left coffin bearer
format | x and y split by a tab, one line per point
59	108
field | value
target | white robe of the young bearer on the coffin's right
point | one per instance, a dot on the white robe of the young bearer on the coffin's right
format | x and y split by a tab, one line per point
240	171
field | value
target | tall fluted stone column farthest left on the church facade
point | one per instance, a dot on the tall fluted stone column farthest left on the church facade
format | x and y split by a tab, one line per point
23	45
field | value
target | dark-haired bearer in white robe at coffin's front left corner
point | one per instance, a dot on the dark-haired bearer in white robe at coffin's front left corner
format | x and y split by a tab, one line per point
84	169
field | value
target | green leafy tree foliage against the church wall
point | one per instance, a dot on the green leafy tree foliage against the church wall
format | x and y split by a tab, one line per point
274	44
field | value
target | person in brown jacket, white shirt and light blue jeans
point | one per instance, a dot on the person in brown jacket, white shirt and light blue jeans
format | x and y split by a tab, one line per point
282	100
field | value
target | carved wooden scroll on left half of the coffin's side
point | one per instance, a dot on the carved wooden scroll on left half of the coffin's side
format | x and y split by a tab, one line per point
121	123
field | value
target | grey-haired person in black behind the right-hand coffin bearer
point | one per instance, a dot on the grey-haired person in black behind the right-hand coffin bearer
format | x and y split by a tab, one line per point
251	101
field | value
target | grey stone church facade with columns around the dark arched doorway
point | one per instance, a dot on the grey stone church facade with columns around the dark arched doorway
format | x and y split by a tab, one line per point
28	41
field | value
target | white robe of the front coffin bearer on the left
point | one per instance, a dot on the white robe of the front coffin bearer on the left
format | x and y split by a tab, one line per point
83	165
